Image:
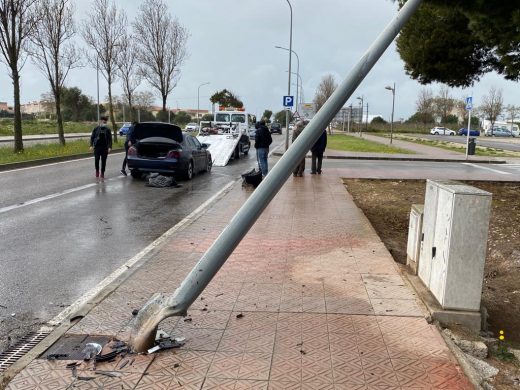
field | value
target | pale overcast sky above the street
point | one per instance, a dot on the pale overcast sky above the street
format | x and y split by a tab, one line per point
232	45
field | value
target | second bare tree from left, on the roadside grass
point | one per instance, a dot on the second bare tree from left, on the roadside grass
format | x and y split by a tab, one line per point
52	50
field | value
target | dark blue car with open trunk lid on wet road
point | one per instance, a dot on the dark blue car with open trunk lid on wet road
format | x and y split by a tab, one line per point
164	148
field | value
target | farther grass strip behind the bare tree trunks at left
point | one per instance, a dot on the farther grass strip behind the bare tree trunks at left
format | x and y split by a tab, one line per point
35	127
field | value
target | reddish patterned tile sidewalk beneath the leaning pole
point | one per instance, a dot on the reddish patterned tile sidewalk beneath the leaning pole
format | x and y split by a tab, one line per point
323	307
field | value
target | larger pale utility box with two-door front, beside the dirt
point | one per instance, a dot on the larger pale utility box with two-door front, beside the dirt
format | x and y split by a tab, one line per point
453	251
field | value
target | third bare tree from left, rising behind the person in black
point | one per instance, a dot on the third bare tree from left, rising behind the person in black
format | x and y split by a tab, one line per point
104	31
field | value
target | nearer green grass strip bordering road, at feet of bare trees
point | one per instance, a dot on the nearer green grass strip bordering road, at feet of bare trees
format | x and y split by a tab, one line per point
43	151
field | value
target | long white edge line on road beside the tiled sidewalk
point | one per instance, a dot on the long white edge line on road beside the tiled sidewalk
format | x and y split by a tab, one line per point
90	295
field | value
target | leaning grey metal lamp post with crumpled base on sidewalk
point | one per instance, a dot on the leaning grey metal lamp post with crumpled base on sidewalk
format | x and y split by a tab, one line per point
162	306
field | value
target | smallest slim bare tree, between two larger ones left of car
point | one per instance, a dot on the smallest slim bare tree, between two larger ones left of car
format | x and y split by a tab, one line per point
130	78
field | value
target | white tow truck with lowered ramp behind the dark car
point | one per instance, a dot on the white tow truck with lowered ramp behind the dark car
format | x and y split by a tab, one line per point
227	135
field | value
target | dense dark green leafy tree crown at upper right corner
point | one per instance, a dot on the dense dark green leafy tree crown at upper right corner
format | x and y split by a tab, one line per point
457	41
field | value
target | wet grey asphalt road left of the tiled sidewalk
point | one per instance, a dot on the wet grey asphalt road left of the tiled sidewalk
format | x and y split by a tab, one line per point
63	233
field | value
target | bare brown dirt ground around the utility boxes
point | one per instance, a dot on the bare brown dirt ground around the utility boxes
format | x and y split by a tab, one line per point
387	204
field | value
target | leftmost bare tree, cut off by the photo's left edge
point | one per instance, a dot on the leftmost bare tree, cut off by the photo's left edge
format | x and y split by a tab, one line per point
17	22
